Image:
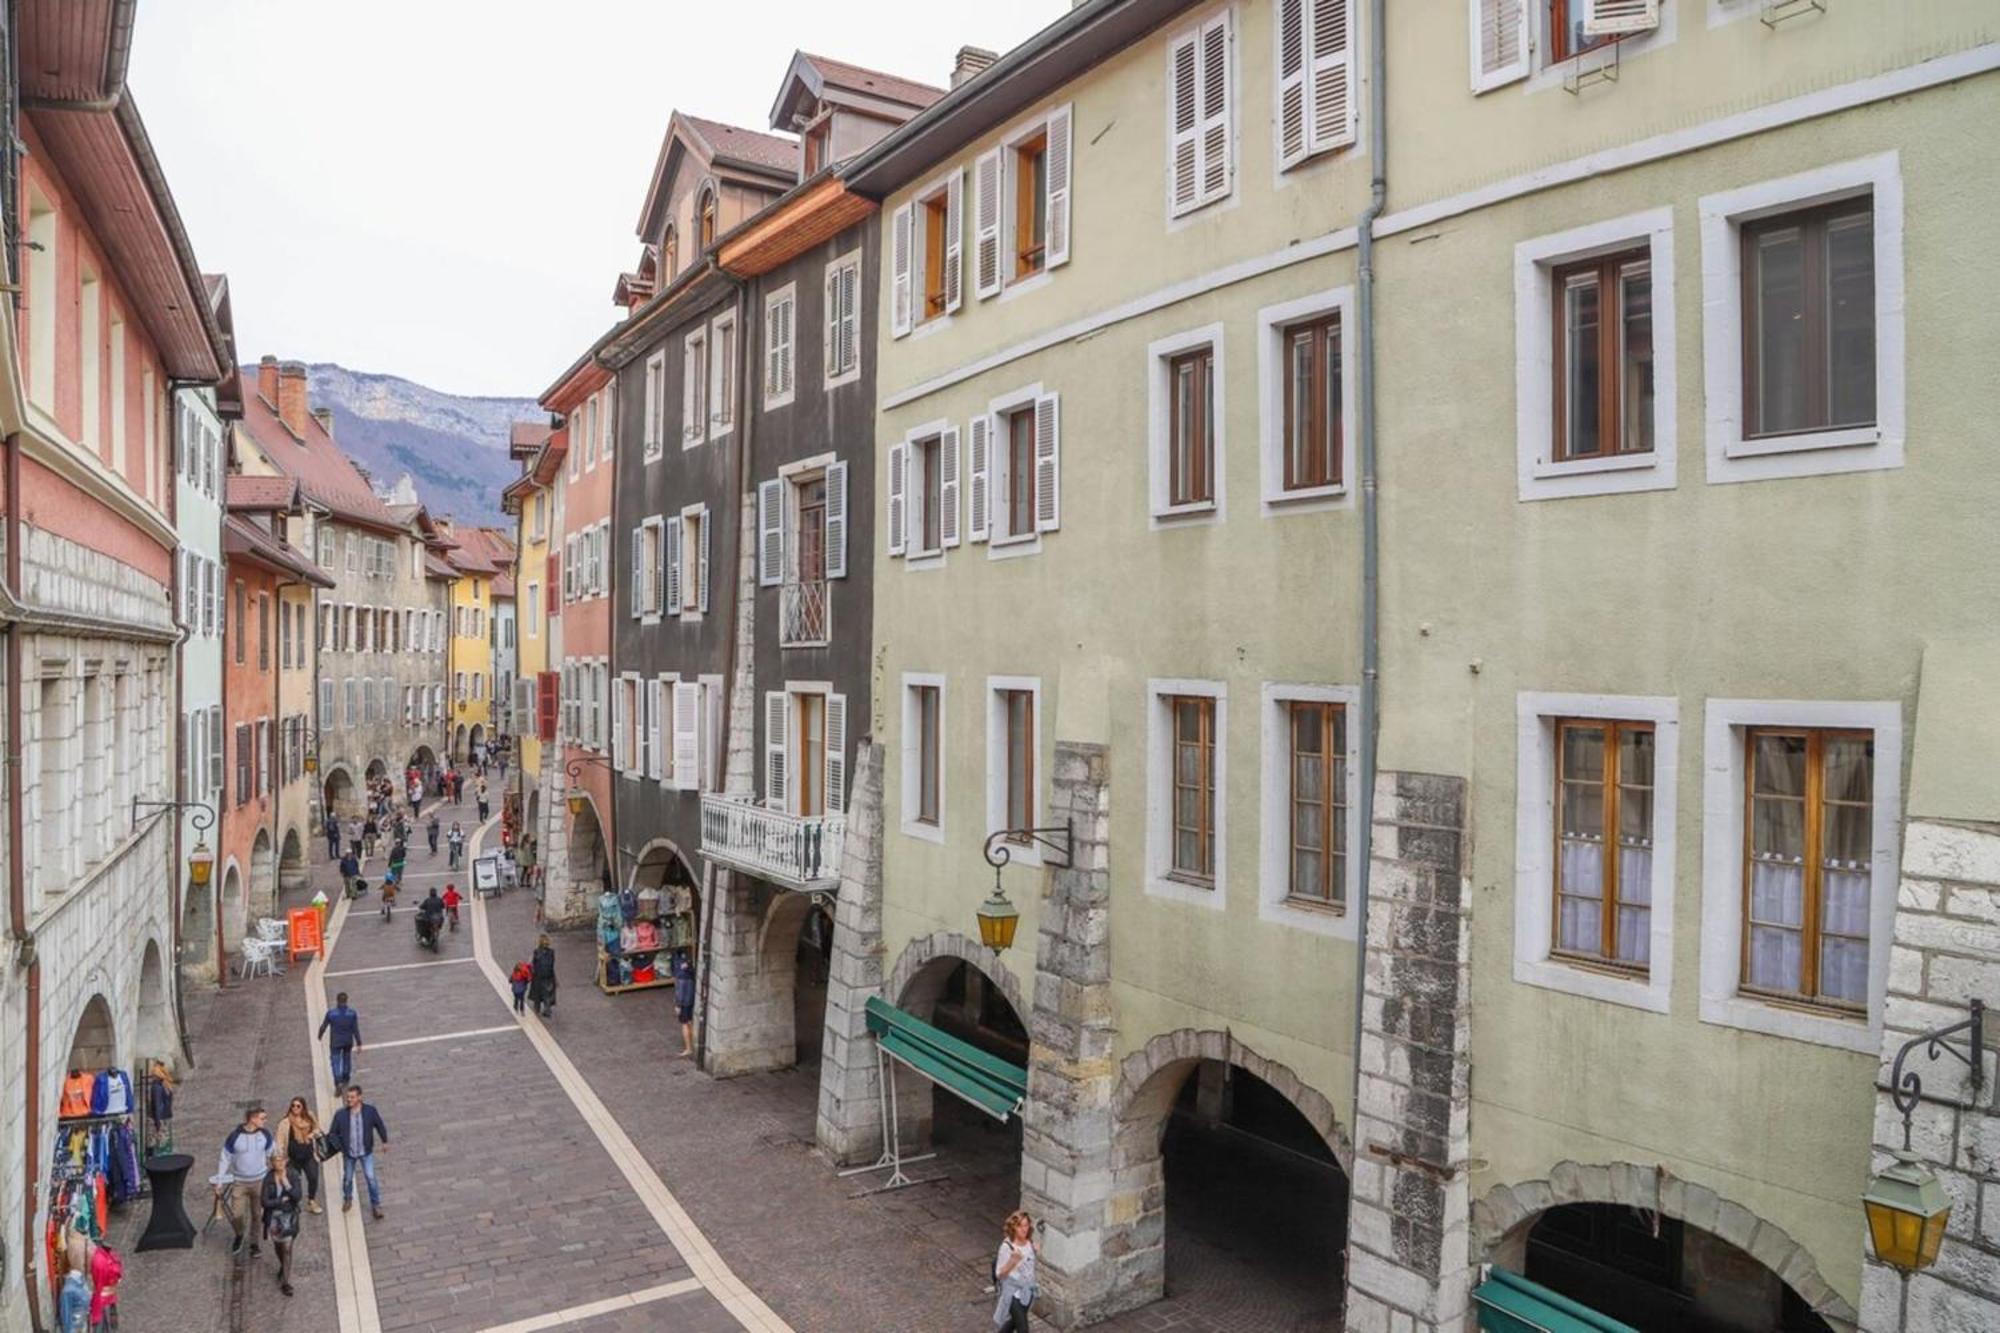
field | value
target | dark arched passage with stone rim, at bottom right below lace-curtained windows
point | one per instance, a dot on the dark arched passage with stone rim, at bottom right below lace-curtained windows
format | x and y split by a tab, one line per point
1657	1252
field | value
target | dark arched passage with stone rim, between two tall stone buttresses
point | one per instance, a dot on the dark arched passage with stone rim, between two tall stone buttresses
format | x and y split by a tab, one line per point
1229	1180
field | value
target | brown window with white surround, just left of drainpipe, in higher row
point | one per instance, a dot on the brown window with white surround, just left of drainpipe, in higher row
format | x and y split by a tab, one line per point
1305	383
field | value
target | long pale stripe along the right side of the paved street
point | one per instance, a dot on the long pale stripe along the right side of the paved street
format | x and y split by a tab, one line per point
647	1184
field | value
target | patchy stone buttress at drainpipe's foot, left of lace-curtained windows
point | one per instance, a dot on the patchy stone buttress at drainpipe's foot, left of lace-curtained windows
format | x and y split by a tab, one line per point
1409	1244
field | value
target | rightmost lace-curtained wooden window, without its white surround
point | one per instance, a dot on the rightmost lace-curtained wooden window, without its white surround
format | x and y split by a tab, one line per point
1807	866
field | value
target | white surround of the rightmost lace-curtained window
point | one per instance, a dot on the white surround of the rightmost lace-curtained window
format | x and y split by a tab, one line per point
1723	874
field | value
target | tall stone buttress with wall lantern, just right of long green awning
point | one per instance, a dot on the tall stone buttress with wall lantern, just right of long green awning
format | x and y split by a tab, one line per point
1067	1142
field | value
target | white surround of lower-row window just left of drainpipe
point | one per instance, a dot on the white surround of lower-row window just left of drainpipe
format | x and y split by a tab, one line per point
1275	802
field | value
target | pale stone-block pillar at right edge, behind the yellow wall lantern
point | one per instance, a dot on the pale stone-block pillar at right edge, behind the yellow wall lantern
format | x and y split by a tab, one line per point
1947	952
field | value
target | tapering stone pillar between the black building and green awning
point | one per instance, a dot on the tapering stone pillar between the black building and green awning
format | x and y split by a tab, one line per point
851	1092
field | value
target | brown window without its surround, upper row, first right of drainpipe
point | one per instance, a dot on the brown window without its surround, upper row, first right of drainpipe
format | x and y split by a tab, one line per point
1603	357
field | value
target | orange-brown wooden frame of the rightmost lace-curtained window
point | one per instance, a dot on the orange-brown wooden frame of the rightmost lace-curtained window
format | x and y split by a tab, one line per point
1813	830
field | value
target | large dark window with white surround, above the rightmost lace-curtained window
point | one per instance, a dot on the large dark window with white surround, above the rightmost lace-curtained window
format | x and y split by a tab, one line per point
1803	323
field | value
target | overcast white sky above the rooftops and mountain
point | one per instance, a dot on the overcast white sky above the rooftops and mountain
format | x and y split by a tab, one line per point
447	189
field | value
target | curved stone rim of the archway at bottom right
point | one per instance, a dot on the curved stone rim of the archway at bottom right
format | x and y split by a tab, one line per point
1507	1214
